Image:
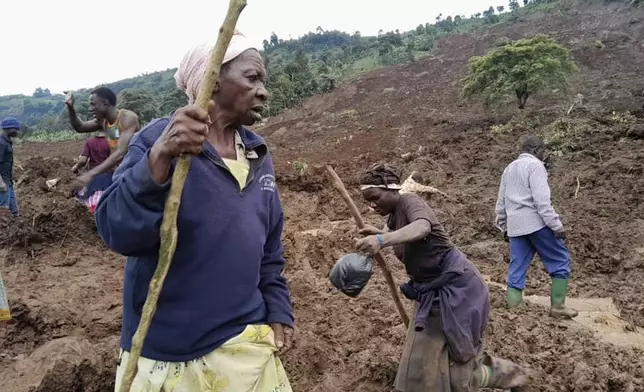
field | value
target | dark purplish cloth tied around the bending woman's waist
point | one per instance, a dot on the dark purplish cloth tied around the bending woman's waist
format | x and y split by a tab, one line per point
463	301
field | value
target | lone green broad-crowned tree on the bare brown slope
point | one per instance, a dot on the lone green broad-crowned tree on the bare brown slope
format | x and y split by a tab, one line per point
520	68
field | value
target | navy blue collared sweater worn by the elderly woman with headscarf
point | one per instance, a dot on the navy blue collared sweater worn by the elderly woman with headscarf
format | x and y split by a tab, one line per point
227	269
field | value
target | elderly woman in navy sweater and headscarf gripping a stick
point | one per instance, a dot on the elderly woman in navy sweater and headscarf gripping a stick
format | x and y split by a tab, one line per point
224	311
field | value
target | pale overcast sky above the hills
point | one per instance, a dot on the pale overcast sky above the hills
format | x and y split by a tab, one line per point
72	44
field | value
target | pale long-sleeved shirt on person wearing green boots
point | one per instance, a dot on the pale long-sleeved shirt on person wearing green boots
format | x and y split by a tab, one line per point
524	204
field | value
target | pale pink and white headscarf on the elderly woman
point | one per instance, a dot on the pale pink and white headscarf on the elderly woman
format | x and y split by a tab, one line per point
190	72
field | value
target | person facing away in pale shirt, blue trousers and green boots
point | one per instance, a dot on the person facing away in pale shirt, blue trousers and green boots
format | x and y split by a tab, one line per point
525	214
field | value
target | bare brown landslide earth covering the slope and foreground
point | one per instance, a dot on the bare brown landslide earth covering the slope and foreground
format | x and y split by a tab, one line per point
64	285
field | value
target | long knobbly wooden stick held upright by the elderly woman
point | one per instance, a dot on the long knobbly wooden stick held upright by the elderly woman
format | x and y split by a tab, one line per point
169	233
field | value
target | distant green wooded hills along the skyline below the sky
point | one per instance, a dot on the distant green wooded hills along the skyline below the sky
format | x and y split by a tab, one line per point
315	63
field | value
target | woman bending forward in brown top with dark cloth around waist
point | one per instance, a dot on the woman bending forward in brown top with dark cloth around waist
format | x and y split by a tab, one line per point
444	345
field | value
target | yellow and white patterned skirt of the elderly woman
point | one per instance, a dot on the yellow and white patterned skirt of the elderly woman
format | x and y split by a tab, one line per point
246	363
